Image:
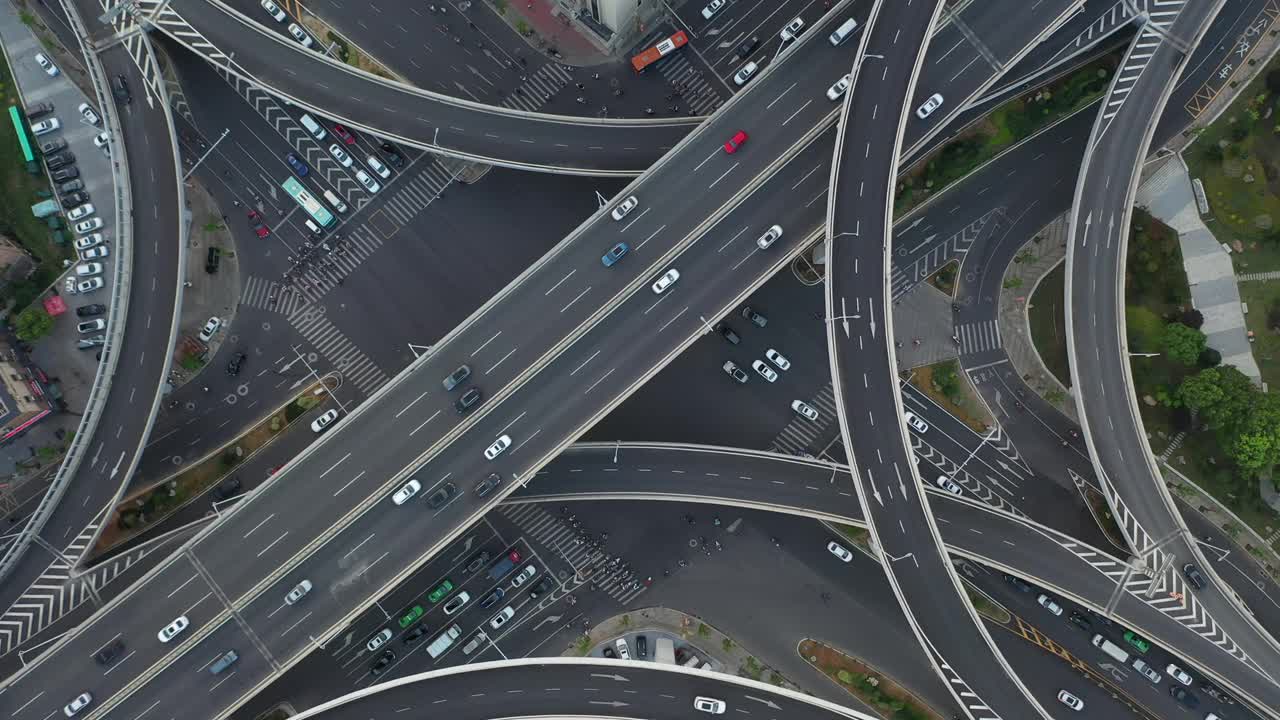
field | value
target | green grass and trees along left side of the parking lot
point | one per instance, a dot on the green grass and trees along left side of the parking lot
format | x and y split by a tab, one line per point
22	188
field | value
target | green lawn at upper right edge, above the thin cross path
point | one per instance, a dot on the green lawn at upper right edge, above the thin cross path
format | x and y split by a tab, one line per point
1238	161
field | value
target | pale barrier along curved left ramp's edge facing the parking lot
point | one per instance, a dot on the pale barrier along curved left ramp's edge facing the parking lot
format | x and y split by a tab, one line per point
121	285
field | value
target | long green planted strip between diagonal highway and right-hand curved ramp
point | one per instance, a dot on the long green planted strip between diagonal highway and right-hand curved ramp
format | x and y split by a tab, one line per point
1007	126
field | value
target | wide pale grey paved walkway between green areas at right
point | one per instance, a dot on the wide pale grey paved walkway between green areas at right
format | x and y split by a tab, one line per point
1168	195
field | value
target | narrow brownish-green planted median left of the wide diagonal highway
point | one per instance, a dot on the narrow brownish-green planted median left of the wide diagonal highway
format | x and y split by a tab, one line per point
147	508
